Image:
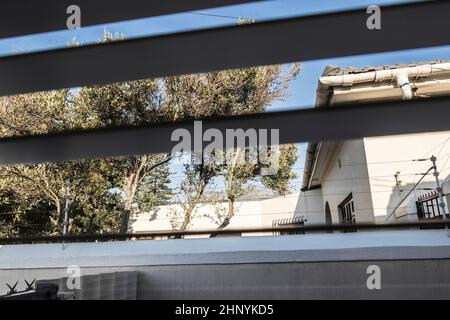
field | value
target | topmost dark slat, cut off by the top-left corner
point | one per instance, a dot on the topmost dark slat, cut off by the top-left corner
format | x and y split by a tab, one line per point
22	17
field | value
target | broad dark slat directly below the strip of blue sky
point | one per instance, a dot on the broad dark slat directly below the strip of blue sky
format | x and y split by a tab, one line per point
273	42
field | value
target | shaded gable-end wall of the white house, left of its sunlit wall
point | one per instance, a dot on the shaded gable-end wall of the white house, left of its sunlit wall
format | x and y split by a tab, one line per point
347	174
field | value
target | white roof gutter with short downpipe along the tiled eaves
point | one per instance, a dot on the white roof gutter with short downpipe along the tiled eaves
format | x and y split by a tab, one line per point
401	76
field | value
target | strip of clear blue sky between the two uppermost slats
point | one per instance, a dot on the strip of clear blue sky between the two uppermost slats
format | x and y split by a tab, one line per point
264	10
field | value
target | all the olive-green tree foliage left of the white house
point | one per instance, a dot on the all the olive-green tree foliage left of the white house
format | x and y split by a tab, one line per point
105	193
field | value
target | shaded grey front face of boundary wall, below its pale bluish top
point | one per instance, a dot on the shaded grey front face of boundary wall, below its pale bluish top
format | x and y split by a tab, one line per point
418	279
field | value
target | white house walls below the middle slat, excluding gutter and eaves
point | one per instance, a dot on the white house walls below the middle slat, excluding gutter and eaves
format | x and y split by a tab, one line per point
366	167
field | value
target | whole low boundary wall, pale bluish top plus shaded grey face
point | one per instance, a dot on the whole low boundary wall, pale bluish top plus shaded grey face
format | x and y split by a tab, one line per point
413	265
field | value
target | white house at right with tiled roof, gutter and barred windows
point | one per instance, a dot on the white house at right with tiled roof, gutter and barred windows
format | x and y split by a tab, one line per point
355	180
